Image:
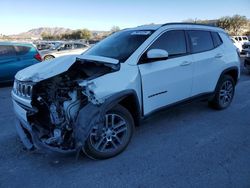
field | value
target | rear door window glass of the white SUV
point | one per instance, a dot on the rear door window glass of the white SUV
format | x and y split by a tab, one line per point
200	41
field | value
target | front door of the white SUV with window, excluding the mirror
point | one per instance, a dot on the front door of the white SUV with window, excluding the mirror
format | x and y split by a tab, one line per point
168	81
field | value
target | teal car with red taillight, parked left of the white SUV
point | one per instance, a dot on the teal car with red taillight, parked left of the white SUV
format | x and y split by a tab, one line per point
14	57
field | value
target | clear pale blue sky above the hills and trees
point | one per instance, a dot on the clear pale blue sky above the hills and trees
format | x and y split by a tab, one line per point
18	16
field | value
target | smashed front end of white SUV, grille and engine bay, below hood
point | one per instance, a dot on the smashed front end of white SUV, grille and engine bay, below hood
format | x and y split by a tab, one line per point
58	113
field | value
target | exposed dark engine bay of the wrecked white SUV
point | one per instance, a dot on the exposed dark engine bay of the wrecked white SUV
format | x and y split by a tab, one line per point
59	99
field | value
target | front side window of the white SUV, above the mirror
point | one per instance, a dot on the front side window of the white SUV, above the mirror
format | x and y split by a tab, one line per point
173	42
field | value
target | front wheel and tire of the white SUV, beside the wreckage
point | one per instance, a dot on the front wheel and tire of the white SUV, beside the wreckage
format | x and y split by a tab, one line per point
112	138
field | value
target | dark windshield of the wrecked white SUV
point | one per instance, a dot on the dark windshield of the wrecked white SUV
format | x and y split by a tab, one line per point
120	45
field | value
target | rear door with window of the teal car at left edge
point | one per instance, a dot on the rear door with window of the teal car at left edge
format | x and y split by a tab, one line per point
8	63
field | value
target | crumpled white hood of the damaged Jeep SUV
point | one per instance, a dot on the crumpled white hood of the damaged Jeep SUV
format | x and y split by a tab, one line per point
48	69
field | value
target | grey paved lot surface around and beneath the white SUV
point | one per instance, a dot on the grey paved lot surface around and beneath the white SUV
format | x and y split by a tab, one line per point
186	146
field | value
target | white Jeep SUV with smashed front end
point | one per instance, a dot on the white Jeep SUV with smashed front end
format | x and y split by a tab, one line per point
92	102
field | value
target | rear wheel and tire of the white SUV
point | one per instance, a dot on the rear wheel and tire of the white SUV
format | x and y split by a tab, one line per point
224	93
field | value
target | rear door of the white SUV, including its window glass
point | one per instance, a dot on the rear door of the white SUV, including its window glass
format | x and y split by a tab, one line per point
208	57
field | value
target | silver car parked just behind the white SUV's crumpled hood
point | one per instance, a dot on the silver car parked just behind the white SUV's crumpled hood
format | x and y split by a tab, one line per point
64	48
